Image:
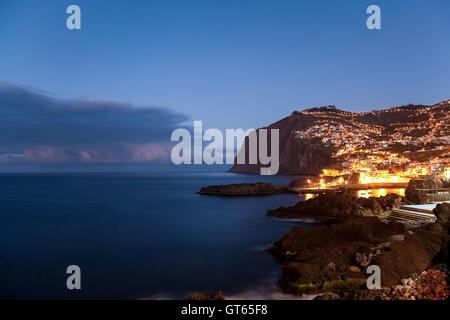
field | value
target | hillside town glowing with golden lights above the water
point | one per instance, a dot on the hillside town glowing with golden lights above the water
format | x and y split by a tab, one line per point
365	153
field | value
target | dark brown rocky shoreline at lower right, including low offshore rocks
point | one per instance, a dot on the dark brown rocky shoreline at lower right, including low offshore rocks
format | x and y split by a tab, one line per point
331	259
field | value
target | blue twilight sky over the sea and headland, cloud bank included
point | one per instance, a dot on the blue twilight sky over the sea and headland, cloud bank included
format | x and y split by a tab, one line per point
232	64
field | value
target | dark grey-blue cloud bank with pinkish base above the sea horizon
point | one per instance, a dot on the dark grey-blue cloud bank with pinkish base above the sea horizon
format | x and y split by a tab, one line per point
36	127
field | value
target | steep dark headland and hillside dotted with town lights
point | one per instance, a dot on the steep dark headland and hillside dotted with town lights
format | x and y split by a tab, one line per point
330	138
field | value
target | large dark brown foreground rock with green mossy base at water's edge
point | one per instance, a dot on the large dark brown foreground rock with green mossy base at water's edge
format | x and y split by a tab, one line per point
323	258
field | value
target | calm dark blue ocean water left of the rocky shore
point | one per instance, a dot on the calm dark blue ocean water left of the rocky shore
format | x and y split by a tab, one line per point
136	235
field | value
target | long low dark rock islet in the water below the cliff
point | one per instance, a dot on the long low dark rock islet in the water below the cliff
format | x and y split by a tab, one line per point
244	189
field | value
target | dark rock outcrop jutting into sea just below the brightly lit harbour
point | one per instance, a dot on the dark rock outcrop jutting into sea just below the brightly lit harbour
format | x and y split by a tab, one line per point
342	203
